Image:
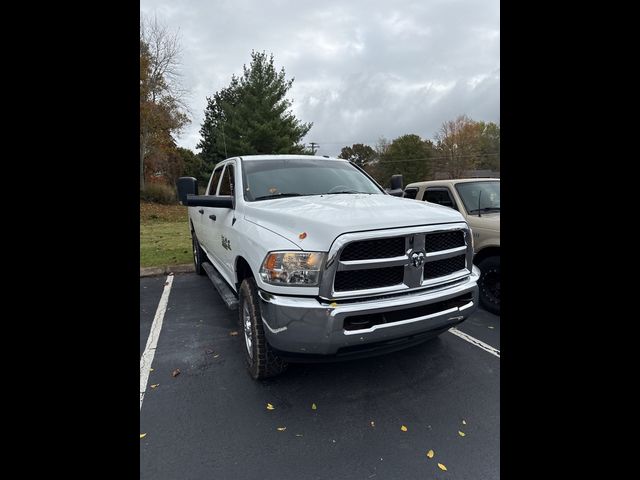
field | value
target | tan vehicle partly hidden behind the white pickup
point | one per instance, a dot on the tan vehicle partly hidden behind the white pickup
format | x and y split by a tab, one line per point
478	199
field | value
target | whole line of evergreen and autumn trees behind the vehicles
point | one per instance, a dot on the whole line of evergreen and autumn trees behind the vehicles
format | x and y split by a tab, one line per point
252	115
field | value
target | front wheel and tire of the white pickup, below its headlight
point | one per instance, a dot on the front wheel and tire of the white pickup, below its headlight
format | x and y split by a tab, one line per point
262	362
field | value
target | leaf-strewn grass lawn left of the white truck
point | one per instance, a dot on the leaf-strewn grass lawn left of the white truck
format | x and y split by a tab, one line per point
164	235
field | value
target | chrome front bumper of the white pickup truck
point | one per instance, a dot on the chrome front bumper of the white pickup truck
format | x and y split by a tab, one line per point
303	325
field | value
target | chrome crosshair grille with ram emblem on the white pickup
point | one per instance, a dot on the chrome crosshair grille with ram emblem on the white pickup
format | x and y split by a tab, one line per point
421	257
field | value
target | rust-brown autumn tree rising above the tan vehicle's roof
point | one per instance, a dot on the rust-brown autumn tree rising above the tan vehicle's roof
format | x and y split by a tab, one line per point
459	143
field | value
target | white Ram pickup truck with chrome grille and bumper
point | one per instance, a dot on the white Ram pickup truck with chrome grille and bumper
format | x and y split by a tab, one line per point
322	263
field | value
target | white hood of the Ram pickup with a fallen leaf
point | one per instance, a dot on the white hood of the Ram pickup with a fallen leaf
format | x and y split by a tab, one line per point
325	217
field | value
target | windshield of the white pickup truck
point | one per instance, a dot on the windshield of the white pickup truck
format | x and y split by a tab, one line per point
267	179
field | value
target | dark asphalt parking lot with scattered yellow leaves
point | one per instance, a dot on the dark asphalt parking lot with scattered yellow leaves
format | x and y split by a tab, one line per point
211	420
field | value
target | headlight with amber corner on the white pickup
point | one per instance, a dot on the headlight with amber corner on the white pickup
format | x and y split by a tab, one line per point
292	268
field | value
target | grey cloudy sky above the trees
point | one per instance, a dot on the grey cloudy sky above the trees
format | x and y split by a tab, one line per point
363	69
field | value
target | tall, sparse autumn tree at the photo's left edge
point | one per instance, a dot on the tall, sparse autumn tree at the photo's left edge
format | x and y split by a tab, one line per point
163	108
